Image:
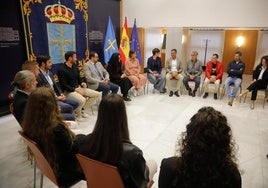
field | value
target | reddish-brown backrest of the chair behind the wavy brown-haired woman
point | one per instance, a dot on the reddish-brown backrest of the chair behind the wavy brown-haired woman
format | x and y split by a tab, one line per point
40	159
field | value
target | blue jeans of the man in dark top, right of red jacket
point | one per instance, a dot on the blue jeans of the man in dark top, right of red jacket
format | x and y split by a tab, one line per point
232	80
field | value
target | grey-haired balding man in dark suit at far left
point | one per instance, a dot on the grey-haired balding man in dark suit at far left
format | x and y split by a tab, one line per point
25	82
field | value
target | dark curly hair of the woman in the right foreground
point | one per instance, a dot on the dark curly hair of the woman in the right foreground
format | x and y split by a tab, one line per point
207	150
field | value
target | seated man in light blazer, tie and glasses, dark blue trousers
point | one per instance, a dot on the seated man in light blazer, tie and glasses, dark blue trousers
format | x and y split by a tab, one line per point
97	77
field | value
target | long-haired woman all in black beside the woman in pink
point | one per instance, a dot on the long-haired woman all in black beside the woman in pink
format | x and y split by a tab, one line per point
114	69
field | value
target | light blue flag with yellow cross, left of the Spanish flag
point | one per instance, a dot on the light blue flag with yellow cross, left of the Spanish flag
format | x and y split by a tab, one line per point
110	44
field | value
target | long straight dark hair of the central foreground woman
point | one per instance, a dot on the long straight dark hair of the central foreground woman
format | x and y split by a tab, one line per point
111	129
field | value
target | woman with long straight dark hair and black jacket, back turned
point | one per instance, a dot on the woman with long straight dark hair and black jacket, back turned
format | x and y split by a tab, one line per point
109	143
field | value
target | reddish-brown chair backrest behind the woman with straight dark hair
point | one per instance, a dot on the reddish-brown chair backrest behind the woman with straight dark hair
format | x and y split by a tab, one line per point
99	174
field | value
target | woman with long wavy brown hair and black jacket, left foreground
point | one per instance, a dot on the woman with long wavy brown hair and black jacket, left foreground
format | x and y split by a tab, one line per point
43	123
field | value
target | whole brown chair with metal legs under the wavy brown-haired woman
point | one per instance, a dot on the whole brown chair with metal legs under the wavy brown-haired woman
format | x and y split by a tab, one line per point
41	162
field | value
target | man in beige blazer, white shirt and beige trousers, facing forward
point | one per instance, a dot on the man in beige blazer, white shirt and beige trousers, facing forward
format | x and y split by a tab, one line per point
174	70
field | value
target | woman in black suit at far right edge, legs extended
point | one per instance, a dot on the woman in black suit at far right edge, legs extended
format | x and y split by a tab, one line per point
260	80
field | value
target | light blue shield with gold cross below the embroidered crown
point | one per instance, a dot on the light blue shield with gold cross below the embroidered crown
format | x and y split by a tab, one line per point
61	38
